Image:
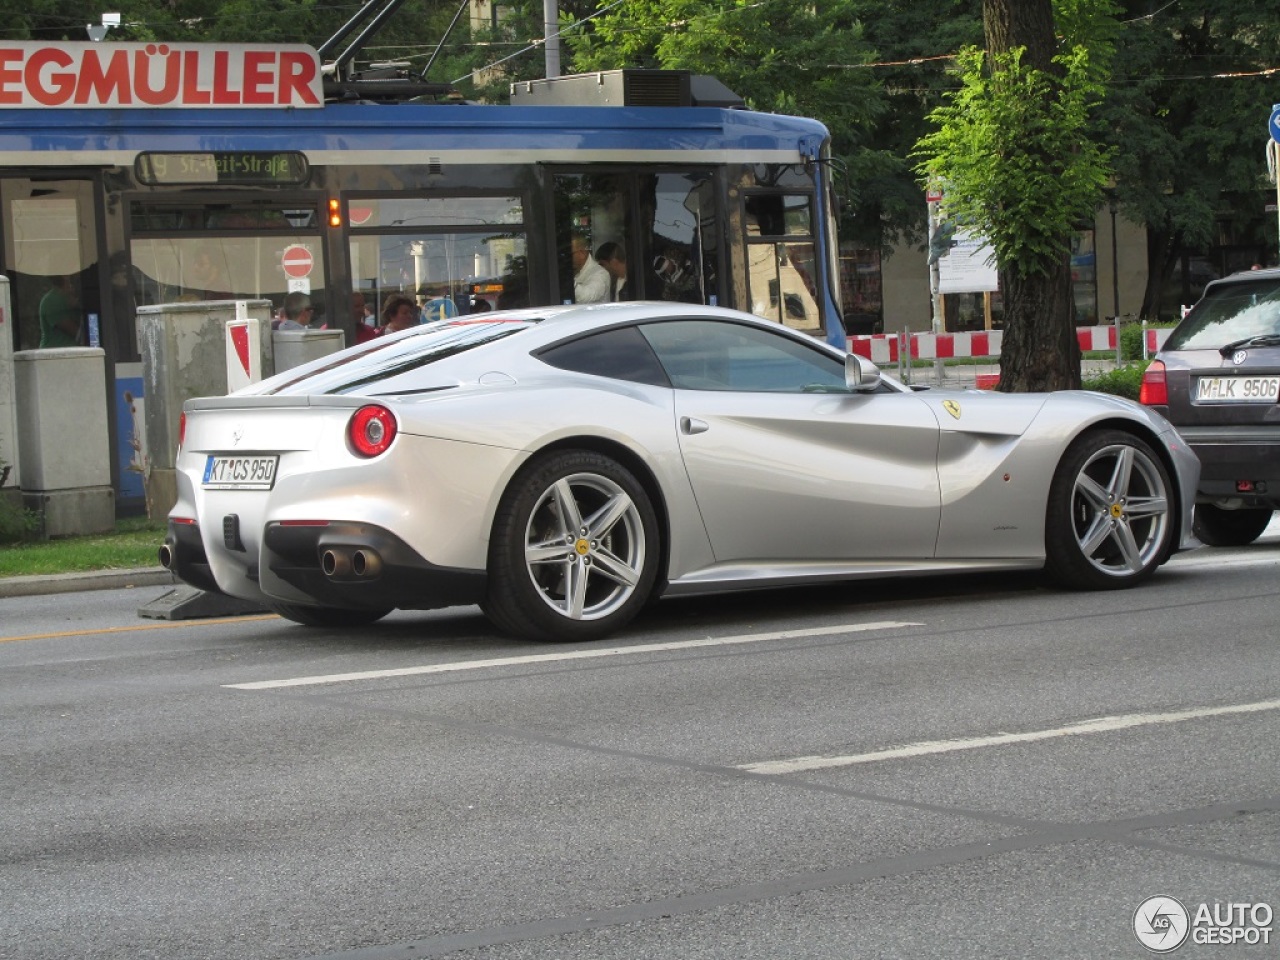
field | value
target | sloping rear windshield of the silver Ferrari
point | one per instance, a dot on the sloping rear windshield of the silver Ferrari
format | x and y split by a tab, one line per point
385	369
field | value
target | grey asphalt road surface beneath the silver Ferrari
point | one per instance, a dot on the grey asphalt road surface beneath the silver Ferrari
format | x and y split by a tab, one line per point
975	767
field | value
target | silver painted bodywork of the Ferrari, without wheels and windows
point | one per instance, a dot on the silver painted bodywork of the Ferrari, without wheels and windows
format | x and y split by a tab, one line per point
753	490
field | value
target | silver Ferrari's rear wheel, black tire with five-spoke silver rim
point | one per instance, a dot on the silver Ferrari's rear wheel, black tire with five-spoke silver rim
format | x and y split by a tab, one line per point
579	578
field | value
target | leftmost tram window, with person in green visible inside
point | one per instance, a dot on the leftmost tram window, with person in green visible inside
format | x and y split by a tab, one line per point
51	255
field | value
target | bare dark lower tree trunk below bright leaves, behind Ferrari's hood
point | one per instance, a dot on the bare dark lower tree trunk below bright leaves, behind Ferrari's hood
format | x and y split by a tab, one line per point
1035	354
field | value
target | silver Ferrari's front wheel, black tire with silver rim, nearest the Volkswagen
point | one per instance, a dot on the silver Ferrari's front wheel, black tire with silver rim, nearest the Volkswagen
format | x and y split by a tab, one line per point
1110	520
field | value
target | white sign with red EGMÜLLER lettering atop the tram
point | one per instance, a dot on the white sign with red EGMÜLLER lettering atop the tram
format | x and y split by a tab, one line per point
152	76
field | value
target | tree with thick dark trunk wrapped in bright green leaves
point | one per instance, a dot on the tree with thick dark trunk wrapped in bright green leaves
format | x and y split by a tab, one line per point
1013	154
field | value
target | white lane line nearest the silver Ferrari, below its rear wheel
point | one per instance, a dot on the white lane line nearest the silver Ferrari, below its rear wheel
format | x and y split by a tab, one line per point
573	656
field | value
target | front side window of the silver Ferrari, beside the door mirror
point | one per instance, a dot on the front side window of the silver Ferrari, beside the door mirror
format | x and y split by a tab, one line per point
710	355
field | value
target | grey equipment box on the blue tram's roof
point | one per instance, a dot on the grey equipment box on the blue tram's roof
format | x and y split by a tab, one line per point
628	88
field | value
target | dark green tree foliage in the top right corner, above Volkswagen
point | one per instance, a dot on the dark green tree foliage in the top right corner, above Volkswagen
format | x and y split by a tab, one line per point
1187	115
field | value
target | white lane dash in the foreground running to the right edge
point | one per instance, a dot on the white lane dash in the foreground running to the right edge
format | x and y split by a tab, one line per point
1103	725
